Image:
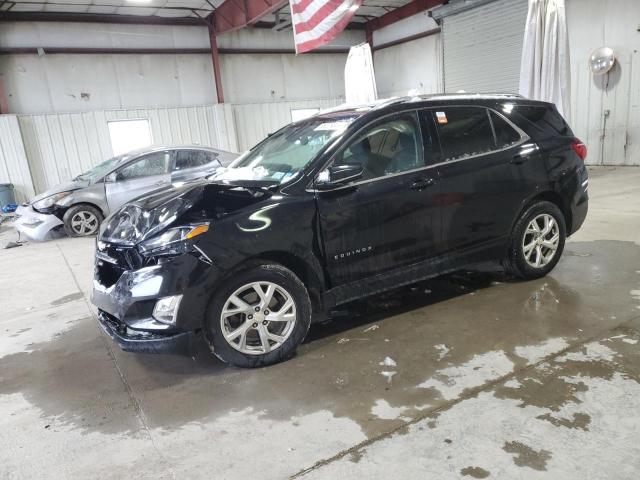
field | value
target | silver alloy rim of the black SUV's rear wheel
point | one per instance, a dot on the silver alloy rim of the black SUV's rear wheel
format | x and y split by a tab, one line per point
540	240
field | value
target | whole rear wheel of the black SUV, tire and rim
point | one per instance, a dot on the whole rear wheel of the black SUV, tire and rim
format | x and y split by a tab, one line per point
537	241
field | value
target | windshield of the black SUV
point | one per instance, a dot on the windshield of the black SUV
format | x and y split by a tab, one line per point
284	154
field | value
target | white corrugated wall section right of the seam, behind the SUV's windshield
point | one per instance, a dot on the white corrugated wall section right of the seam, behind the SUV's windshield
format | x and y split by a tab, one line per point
254	121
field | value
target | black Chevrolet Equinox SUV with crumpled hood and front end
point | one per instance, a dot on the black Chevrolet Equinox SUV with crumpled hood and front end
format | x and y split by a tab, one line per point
336	207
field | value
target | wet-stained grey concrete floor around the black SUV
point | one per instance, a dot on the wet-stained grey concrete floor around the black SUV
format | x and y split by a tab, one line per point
466	376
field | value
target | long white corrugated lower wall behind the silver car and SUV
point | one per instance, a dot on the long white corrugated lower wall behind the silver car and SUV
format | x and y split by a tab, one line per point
52	148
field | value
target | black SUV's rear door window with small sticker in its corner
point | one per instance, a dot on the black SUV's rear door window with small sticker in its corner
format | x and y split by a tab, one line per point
463	131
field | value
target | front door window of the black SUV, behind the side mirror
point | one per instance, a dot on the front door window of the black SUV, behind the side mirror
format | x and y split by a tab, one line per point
391	146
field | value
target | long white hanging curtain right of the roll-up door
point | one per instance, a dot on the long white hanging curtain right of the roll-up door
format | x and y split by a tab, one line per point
545	68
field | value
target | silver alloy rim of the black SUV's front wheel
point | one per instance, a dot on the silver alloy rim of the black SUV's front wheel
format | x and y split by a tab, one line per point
258	318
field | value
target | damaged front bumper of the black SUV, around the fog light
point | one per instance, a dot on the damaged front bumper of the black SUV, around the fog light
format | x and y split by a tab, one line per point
126	297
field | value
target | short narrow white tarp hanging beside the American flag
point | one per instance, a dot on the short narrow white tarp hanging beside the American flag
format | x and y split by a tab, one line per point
359	79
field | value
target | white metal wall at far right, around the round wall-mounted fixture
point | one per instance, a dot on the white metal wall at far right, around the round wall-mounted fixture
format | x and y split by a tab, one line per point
605	111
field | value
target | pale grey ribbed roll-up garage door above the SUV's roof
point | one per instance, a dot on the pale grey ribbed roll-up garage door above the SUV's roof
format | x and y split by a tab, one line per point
482	47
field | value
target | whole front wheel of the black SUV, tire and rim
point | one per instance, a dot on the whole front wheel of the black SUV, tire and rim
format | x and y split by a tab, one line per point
259	317
